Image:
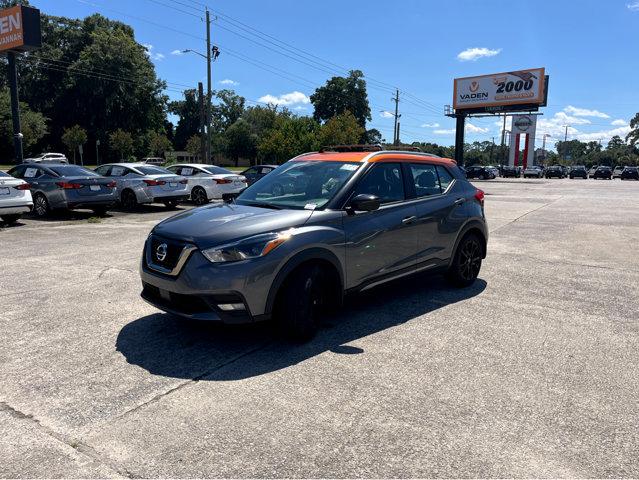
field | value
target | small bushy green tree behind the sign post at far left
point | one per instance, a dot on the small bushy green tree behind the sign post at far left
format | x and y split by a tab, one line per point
34	126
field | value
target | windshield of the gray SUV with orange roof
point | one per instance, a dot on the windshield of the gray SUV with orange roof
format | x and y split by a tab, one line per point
299	185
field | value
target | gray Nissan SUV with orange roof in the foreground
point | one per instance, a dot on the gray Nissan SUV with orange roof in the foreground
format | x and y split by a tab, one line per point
318	227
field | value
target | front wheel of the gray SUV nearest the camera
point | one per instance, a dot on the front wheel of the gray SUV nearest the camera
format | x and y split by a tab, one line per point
301	303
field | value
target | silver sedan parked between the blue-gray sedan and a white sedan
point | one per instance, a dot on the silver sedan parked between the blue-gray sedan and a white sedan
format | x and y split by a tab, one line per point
139	183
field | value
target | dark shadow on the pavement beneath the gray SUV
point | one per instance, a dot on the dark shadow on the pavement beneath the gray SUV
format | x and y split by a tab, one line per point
168	346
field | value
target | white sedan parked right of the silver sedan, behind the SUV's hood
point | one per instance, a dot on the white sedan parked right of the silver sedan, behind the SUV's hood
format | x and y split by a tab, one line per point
208	182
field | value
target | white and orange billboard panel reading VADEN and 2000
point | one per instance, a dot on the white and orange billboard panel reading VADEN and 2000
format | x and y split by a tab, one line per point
500	91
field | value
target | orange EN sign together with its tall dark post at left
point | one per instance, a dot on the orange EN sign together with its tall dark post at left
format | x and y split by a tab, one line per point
19	32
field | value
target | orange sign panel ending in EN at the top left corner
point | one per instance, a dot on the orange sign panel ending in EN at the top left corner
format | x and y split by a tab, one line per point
20	29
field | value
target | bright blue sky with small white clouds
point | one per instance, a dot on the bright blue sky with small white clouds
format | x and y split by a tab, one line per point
588	48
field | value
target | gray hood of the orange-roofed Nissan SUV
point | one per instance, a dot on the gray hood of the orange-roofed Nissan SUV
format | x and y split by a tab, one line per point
216	224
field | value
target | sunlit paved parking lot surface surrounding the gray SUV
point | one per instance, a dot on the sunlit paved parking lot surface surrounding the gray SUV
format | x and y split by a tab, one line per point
534	371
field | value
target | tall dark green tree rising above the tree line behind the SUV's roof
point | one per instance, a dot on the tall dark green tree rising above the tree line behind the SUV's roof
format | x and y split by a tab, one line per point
341	94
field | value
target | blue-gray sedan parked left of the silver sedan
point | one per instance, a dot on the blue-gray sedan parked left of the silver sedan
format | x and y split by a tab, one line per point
57	186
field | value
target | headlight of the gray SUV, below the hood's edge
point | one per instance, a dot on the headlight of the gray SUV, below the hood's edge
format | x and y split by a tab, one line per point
251	247
